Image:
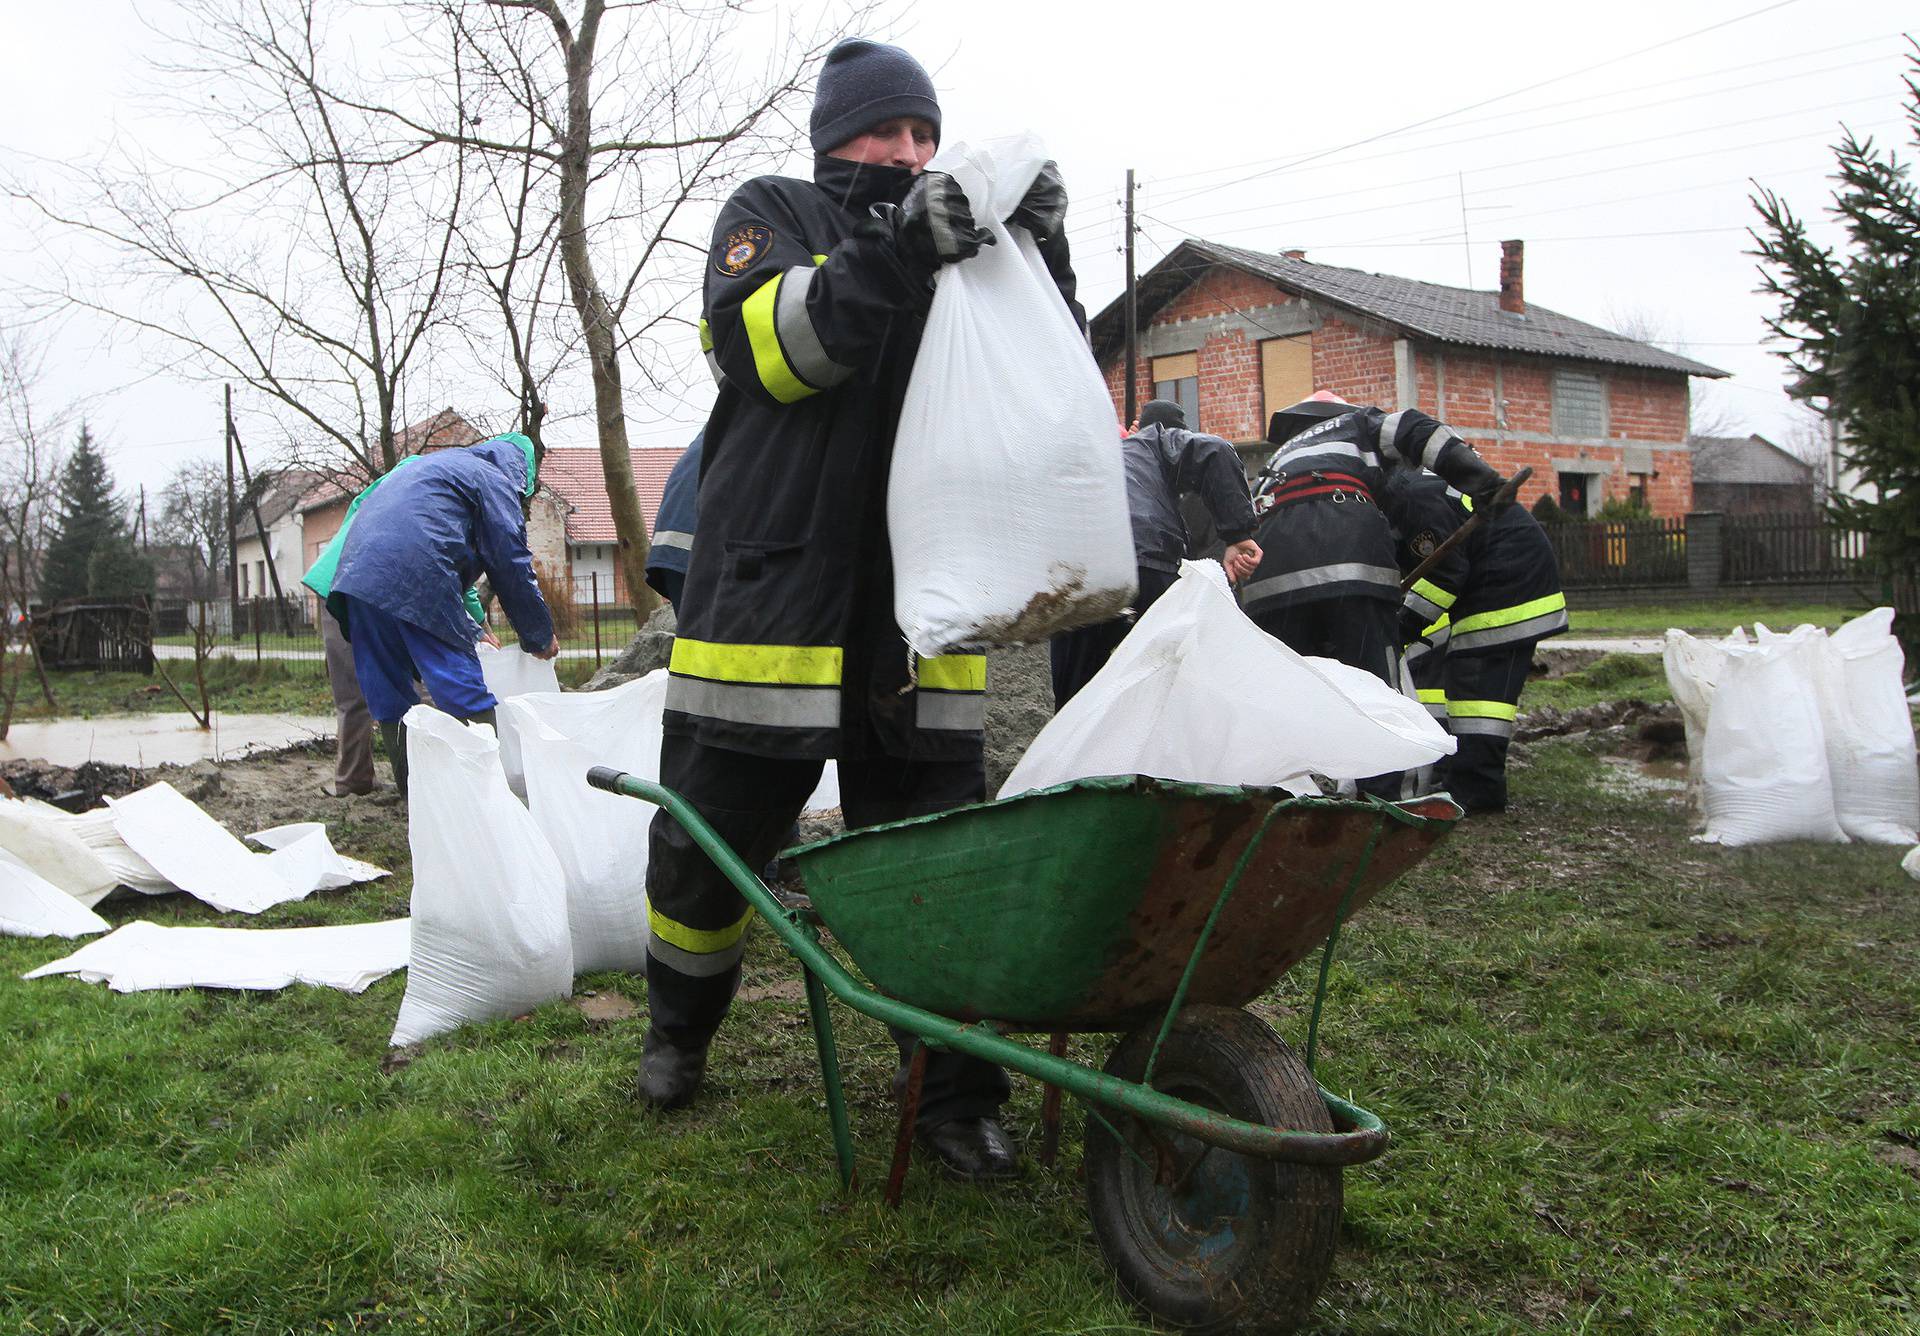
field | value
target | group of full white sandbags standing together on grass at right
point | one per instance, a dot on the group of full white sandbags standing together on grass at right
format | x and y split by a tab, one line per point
1800	736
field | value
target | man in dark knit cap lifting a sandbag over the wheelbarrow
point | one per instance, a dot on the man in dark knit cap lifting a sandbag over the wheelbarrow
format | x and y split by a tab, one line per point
788	652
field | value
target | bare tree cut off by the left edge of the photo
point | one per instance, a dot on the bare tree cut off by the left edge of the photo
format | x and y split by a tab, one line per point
30	479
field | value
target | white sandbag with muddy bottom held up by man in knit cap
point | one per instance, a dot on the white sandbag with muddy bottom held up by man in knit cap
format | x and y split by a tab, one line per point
1007	502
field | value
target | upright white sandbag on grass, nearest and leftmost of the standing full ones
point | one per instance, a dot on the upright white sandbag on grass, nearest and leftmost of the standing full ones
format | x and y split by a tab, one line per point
489	895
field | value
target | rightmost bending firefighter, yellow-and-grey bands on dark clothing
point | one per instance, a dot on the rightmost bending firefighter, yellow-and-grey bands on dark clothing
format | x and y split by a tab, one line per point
1474	623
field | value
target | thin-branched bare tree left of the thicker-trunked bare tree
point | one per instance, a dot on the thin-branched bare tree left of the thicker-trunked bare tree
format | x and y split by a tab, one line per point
308	258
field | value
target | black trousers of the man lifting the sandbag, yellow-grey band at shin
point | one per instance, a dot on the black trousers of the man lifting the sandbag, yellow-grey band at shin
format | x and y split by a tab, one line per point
698	920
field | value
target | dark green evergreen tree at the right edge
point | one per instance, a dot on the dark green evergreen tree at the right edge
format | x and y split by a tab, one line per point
1854	320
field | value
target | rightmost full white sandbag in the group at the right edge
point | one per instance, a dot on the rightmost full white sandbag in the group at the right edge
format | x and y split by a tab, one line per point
1871	732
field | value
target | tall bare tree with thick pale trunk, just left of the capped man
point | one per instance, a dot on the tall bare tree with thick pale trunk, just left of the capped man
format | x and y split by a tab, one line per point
633	120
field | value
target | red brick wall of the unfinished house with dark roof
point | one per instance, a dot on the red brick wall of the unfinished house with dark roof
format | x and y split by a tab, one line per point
1460	387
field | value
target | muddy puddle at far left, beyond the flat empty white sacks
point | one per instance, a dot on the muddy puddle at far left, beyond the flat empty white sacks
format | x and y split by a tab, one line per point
158	740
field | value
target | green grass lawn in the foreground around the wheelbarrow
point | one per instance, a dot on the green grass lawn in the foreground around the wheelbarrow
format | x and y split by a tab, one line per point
1637	1085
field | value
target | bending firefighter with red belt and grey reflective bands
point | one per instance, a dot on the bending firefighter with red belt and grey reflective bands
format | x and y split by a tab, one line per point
1328	581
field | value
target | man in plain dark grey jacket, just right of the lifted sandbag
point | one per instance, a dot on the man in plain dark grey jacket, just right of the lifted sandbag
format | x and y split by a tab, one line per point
1164	464
